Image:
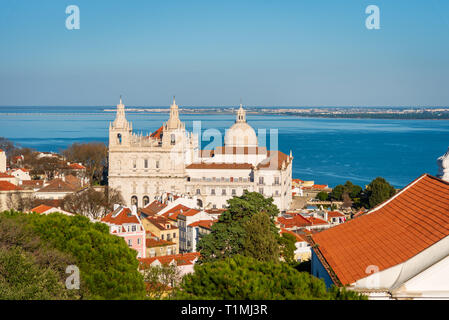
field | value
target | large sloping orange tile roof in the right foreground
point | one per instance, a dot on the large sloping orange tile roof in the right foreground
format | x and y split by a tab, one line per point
391	233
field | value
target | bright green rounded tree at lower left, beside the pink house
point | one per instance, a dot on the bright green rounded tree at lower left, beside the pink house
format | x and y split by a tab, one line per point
108	267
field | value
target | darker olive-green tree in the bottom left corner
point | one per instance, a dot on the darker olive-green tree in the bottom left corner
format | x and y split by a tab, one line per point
29	268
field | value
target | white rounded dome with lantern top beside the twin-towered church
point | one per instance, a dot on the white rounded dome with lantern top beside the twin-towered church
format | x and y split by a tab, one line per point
241	134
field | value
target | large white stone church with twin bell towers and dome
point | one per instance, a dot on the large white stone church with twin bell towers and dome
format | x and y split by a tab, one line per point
170	161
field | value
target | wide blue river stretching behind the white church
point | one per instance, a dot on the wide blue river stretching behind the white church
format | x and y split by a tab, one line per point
329	151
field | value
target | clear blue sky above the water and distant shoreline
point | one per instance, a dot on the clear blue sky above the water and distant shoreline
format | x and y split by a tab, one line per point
269	53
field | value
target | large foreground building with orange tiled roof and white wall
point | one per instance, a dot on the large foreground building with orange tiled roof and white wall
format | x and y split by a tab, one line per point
397	250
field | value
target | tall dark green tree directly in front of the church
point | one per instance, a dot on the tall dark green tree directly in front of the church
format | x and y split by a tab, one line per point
229	235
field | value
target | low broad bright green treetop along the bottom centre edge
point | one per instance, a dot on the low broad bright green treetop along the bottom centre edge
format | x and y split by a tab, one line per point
244	278
